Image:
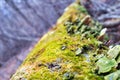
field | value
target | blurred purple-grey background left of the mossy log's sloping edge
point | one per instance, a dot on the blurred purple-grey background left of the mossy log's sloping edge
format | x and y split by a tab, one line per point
22	23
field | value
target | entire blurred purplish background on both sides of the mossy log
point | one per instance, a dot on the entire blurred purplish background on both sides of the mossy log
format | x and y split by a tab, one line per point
23	22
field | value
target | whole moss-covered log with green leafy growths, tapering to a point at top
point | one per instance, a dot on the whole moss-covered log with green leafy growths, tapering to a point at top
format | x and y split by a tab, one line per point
72	50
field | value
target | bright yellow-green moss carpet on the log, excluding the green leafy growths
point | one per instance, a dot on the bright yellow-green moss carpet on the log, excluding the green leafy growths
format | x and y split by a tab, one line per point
54	56
